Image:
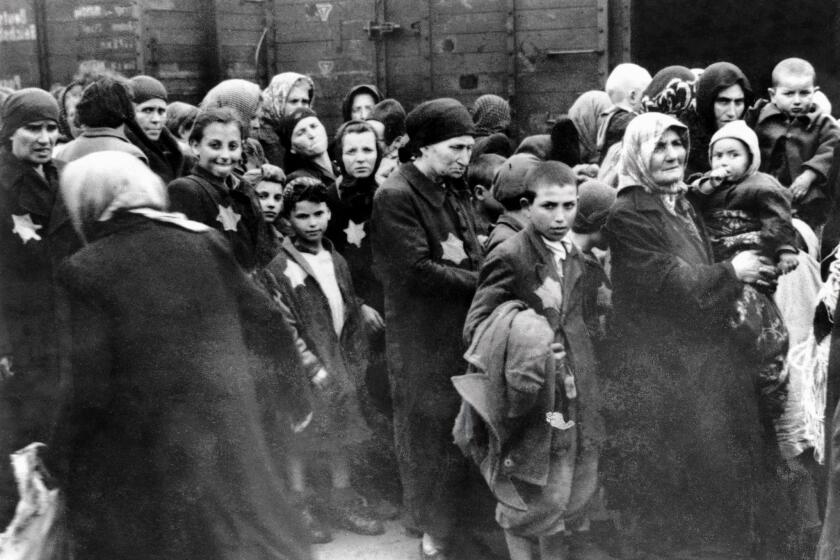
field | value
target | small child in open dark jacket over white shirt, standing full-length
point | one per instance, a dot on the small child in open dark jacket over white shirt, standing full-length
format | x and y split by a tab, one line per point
312	285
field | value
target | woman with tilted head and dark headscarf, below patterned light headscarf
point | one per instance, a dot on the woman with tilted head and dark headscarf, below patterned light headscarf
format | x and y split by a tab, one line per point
305	142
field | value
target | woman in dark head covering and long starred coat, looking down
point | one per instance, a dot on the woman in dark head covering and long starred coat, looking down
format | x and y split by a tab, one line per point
427	254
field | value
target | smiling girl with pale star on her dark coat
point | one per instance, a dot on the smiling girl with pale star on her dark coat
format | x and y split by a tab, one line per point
212	195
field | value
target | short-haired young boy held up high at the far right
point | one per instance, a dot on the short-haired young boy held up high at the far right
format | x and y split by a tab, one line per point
797	139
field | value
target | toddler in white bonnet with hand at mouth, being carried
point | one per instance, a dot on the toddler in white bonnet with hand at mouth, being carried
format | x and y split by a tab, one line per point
745	209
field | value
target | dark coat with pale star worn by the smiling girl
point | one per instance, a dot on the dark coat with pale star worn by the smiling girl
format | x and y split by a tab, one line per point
232	207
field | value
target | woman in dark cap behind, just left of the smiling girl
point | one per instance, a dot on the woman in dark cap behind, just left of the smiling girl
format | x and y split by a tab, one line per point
149	132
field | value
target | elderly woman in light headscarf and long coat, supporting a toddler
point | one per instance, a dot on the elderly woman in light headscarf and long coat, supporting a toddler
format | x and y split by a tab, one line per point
688	460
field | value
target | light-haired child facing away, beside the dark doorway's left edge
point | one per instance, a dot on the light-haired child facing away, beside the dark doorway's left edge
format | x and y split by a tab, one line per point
625	86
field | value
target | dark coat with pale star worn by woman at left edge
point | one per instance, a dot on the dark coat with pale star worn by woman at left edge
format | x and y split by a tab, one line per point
35	235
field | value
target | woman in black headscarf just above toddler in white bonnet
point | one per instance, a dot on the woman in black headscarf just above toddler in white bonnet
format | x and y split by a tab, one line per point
723	95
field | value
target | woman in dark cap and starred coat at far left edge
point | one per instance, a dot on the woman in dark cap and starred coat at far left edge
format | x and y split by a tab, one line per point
35	233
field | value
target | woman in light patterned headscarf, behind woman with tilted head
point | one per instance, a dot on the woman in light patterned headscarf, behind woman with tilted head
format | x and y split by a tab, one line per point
286	93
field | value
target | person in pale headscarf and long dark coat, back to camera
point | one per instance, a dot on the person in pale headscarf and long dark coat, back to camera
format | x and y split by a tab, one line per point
183	374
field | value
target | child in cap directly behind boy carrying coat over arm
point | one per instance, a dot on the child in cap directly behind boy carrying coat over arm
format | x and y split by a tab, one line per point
509	190
